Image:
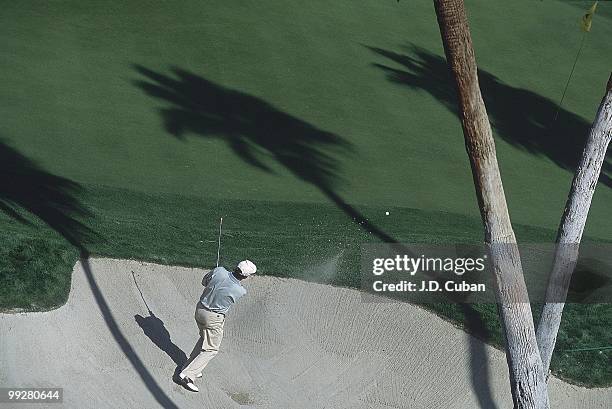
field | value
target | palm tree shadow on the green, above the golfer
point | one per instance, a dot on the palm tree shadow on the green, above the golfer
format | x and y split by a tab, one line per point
255	130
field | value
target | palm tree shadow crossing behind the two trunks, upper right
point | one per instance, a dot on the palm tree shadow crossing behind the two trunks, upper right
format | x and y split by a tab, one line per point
519	116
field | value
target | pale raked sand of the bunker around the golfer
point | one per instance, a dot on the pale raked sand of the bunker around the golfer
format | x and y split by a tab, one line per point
288	344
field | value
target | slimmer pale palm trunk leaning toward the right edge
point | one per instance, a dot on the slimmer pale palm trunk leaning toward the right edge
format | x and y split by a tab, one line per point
572	226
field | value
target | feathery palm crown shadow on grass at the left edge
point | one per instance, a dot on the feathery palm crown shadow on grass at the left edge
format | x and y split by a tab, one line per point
25	188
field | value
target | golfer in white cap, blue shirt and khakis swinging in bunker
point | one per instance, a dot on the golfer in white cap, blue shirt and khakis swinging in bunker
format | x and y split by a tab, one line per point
221	290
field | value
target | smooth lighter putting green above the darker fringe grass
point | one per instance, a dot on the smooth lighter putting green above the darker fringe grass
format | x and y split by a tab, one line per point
314	69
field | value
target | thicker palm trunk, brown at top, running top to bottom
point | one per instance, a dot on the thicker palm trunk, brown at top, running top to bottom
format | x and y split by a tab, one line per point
527	380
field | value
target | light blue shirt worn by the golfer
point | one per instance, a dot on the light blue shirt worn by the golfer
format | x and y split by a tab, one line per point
221	290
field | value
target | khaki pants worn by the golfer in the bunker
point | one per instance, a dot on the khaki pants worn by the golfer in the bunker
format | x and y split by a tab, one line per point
211	334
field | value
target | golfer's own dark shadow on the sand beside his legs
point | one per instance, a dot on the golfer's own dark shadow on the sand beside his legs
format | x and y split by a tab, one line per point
156	331
